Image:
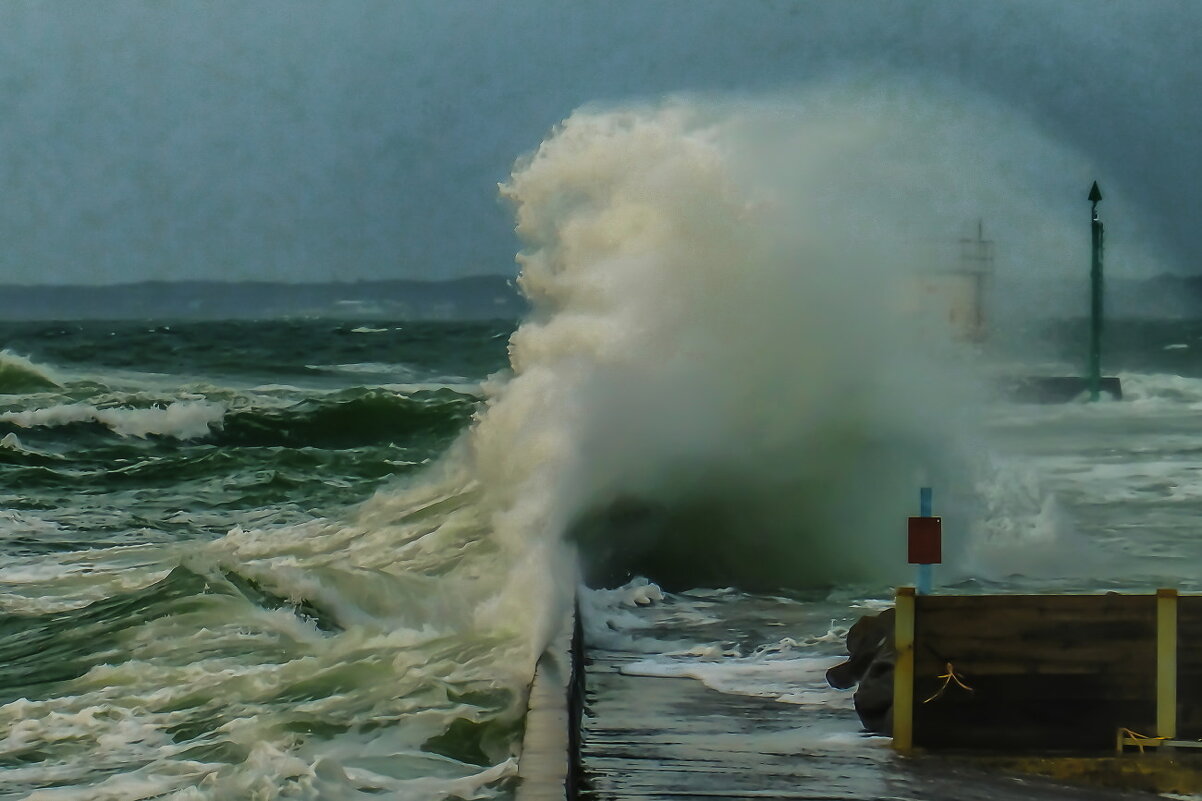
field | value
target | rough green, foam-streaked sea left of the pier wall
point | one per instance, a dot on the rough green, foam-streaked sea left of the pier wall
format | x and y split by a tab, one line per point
219	577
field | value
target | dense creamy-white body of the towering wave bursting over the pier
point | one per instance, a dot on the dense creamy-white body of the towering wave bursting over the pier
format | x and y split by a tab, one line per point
718	383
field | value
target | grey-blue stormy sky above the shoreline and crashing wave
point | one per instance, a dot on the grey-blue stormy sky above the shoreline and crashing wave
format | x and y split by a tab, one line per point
322	140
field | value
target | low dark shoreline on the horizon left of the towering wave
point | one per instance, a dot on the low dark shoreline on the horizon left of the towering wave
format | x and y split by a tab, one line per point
466	299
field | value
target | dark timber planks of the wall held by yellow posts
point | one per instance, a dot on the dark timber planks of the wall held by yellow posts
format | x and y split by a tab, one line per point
1049	673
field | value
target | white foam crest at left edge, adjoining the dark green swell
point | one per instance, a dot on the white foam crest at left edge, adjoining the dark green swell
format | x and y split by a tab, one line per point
178	419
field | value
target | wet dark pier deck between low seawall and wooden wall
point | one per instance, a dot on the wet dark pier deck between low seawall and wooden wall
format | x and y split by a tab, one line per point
675	738
